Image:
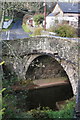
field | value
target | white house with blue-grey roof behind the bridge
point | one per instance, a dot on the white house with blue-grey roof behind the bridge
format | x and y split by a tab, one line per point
64	13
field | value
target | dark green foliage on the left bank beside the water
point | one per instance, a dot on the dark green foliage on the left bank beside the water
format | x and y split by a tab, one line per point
12	101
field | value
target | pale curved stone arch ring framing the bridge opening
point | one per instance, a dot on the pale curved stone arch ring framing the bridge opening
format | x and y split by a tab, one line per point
68	67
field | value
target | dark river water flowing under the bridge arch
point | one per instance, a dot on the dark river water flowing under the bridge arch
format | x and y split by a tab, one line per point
46	96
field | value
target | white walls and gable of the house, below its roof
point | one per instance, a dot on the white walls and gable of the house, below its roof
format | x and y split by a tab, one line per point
62	18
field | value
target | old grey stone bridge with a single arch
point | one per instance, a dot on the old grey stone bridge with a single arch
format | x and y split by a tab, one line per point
19	54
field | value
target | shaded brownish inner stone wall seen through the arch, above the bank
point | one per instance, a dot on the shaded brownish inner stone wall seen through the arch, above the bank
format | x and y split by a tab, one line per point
43	67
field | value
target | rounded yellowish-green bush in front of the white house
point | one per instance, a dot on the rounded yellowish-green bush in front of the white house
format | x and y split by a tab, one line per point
65	31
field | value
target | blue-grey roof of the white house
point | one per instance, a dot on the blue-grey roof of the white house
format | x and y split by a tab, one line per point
67	7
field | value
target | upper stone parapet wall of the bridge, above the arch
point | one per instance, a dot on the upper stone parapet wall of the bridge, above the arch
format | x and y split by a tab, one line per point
66	48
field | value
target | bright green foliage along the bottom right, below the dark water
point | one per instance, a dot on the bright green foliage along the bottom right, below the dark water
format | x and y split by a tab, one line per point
66	112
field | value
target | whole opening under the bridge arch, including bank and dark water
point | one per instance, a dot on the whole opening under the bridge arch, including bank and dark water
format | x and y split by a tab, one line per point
50	78
